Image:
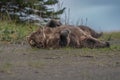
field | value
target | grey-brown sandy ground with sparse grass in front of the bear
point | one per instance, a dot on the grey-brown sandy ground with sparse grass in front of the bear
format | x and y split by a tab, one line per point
21	62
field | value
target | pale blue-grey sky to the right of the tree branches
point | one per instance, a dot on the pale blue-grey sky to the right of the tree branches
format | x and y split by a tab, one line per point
102	15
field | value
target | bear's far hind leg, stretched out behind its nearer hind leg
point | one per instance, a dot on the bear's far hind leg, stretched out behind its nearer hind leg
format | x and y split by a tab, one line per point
90	31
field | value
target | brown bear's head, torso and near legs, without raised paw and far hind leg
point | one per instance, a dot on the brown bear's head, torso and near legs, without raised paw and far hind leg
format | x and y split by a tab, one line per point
64	36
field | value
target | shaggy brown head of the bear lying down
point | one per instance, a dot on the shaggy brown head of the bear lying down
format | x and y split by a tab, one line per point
38	38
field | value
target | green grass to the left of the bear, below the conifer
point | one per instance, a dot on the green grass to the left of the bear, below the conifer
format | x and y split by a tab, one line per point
11	32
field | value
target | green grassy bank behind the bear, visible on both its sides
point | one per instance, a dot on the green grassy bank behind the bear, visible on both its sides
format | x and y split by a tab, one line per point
15	33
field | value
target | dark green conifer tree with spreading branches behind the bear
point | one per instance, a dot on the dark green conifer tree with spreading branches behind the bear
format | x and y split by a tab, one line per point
23	9
